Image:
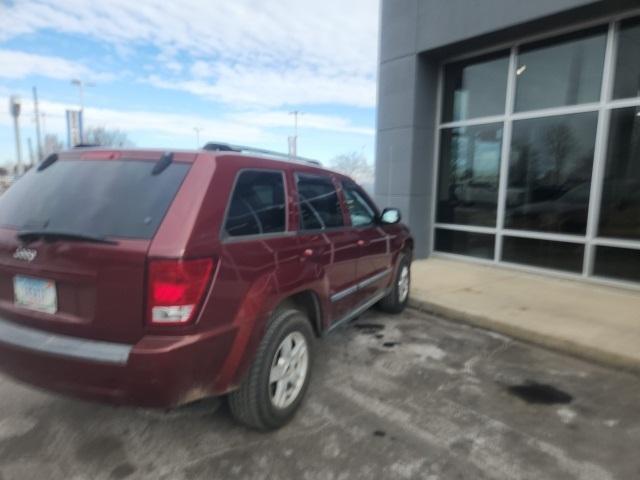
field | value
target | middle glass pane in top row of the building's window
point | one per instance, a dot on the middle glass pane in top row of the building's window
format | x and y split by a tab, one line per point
559	72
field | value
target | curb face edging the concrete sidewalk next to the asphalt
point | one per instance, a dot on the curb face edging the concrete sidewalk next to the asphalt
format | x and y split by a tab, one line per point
585	352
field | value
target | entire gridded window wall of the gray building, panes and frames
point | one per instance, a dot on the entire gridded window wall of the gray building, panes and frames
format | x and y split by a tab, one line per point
535	207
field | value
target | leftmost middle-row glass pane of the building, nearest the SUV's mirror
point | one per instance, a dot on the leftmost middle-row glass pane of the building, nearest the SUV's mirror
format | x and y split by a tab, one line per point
468	175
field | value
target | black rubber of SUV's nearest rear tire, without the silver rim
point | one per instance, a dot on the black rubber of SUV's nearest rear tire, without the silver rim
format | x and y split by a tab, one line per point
251	404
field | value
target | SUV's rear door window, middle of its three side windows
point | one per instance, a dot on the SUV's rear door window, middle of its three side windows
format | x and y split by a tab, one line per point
319	203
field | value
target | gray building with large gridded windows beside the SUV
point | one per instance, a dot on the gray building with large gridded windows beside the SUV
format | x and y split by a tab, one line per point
508	132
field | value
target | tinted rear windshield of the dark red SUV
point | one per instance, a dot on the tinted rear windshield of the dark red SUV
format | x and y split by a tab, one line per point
107	198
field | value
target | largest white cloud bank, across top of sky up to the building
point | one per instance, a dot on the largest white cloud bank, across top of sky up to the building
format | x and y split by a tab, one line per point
244	51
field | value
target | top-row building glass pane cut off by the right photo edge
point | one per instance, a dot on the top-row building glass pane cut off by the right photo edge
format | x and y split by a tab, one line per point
627	79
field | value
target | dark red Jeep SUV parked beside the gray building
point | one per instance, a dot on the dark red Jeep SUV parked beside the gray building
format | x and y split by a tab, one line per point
156	279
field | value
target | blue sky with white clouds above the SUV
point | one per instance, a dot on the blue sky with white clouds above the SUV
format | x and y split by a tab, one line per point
234	69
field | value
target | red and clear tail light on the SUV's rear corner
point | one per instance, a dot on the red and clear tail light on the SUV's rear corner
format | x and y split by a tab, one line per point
176	289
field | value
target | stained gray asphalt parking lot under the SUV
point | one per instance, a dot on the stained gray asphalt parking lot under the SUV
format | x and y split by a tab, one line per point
410	396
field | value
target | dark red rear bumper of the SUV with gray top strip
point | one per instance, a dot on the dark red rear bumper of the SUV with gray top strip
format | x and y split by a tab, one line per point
158	371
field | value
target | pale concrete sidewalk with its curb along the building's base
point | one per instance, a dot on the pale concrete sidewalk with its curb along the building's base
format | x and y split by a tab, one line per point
595	322
